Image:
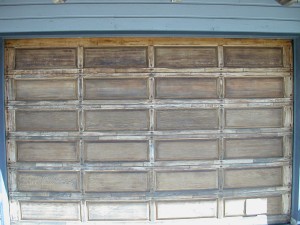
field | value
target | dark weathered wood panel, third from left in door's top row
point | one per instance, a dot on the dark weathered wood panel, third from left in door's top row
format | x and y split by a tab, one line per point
186	57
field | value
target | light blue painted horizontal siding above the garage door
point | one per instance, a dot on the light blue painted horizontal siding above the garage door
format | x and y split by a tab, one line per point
266	16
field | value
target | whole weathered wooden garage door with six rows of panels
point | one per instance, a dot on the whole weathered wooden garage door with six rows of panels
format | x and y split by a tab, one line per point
149	130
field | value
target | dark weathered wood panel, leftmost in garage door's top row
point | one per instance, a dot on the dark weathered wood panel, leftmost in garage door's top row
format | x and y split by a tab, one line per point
47	58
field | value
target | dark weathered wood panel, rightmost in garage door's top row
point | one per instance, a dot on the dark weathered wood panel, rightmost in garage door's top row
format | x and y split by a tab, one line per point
255	57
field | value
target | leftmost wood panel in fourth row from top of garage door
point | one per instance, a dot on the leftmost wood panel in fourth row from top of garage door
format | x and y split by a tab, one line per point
47	151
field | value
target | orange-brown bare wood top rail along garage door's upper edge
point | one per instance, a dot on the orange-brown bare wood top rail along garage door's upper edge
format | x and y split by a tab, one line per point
141	41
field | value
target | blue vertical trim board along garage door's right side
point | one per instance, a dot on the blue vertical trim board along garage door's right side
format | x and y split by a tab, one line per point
296	153
